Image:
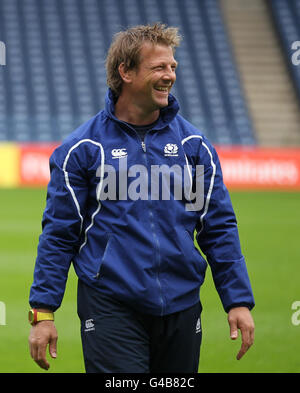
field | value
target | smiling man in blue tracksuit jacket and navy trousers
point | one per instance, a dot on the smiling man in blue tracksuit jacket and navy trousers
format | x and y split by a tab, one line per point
139	271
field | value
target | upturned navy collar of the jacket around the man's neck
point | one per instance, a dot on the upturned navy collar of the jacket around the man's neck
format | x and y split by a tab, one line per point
167	114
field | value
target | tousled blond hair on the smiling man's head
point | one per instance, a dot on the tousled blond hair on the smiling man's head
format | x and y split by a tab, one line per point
126	47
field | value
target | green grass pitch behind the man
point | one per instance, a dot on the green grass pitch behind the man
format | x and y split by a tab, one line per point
269	226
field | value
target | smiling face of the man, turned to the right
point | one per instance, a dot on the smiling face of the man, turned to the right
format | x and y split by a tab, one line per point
154	77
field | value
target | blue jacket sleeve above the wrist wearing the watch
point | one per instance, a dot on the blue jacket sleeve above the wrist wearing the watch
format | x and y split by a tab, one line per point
61	228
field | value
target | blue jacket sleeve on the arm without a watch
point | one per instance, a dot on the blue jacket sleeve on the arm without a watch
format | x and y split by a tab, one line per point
218	238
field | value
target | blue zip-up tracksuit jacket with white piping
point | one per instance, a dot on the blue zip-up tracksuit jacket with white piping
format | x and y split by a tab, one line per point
140	250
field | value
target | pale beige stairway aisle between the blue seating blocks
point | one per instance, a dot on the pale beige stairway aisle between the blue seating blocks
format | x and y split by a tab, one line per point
268	87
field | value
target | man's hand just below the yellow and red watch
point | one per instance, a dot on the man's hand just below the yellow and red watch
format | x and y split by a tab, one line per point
42	334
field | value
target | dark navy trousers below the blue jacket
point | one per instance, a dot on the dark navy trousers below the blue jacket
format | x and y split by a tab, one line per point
118	339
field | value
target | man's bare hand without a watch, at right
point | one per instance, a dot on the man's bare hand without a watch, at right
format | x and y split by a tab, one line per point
241	318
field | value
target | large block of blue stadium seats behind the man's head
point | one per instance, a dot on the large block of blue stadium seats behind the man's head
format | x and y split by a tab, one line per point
55	77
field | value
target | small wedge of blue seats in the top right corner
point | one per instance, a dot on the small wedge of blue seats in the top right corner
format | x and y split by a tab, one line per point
287	20
